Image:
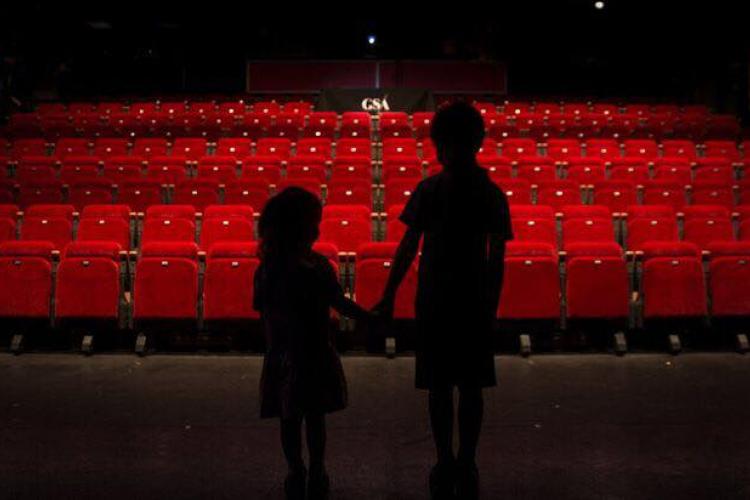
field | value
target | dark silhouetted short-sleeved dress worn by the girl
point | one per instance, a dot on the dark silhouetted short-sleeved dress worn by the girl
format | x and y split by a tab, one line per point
302	372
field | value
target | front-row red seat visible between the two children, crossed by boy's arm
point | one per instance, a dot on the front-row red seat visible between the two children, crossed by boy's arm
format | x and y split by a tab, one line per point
374	261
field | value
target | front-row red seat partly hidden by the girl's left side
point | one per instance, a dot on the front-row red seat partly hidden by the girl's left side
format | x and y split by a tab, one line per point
228	281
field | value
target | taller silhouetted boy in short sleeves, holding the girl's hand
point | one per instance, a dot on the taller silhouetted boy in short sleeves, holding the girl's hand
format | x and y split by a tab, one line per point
465	221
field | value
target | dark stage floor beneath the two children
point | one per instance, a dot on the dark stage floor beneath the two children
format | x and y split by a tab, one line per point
558	426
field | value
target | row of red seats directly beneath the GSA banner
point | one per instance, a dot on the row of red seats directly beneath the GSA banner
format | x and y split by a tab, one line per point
361	124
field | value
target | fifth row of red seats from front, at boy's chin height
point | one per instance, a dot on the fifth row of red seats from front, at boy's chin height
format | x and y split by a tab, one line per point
559	150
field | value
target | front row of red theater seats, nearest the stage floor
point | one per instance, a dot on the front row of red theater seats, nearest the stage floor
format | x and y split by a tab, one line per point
670	284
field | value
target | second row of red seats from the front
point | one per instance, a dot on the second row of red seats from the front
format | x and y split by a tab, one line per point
350	226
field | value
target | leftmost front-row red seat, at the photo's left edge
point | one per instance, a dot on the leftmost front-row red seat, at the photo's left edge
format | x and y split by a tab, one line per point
26	274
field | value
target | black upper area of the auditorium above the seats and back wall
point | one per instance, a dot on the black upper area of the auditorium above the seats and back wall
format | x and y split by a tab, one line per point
657	50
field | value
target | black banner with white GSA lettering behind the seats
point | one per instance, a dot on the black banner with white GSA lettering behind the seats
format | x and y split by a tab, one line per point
375	100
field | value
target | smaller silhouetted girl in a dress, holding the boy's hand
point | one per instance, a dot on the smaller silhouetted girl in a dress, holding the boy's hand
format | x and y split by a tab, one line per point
302	378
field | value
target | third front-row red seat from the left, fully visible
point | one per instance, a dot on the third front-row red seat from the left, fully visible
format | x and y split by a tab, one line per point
166	282
